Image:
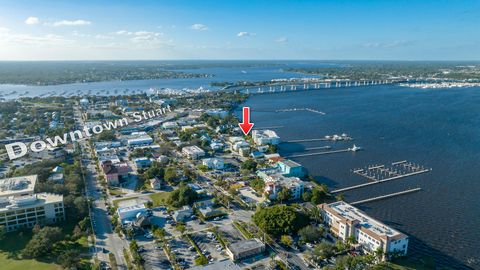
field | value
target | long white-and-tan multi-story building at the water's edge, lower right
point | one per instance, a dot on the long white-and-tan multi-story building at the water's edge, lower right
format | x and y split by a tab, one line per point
346	220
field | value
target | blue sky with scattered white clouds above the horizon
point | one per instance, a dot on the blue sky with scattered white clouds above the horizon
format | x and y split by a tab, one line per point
233	29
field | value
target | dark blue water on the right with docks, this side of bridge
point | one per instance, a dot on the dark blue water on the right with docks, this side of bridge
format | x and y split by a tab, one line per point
434	128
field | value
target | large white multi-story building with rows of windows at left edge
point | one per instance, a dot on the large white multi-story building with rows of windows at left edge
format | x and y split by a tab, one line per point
21	208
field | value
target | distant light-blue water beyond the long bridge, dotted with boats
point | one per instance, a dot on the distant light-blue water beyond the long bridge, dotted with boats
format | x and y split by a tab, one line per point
239	71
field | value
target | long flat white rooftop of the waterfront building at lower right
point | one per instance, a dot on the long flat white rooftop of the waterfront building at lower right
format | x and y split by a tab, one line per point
352	213
